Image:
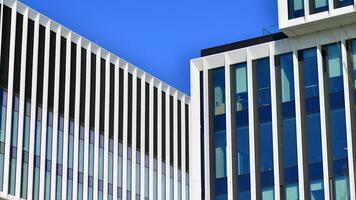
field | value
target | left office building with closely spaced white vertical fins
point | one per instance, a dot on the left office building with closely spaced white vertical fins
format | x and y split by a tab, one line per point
78	122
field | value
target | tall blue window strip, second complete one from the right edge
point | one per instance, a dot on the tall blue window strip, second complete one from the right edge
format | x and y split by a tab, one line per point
308	63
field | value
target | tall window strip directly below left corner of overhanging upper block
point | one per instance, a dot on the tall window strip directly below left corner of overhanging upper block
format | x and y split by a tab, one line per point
284	65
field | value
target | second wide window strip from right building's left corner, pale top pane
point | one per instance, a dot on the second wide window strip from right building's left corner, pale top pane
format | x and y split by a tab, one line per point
243	151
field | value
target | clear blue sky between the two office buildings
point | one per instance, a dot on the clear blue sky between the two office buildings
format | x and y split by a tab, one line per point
161	36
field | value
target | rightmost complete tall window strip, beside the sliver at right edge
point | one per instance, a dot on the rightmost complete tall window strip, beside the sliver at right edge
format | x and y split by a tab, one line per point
333	63
